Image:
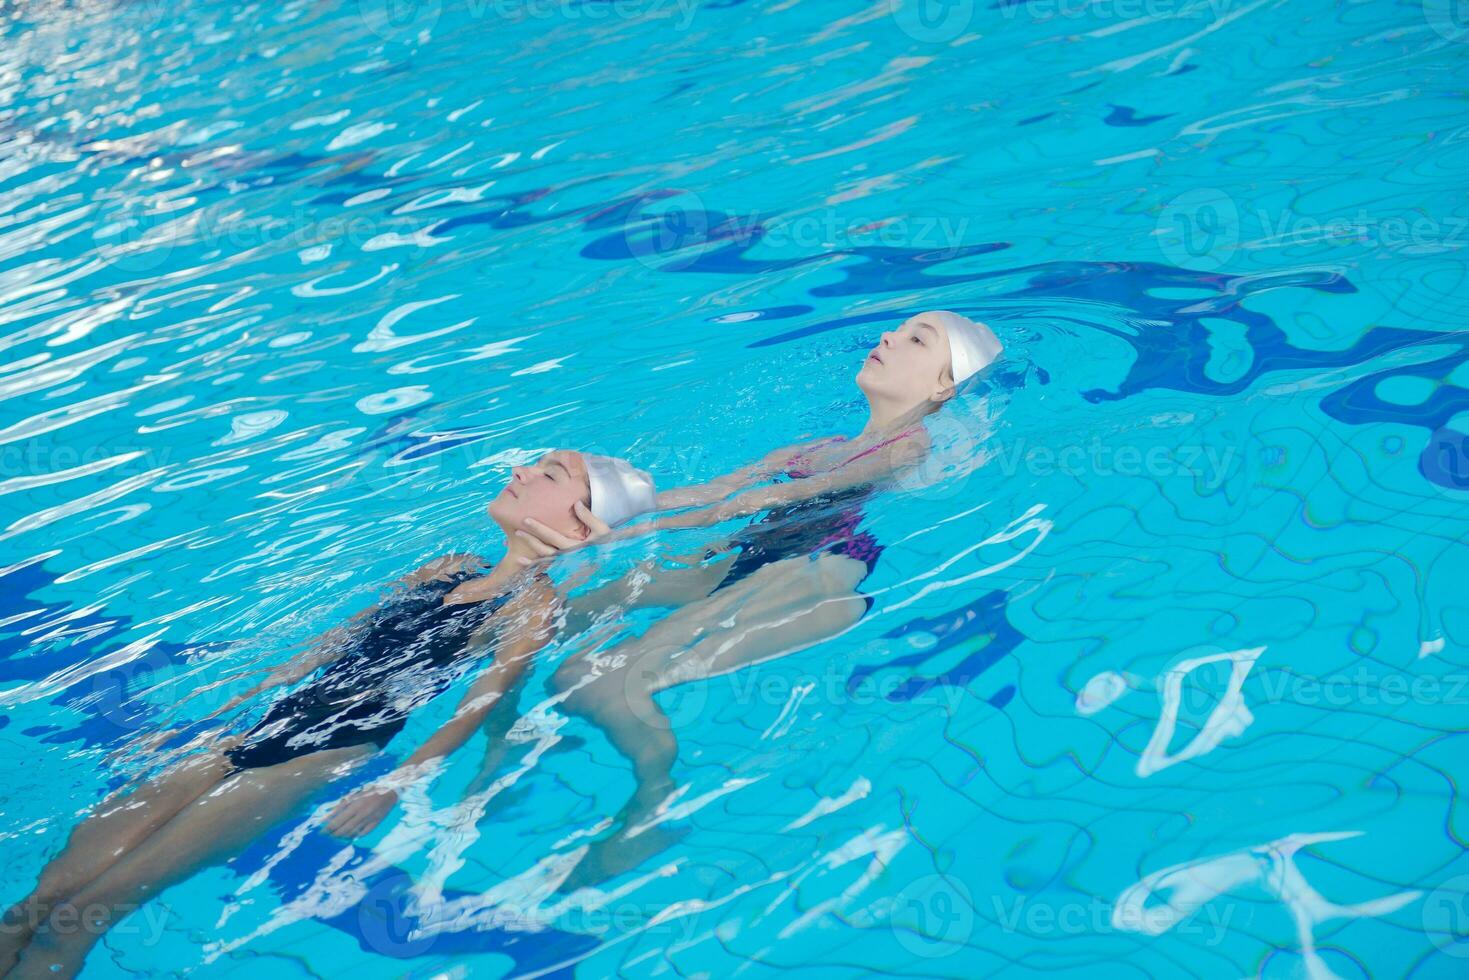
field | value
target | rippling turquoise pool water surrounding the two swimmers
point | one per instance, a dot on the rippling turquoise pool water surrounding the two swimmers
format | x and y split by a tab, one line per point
1166	672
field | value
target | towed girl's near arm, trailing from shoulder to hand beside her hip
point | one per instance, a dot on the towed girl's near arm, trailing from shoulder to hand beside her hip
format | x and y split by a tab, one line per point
530	622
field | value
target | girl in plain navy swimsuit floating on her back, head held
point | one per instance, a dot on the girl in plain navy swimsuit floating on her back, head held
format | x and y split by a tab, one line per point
446	621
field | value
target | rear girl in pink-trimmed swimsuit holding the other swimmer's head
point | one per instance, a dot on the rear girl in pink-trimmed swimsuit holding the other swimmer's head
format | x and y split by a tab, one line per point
785	583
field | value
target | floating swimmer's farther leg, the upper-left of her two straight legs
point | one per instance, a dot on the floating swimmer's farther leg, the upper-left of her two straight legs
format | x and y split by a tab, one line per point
117	826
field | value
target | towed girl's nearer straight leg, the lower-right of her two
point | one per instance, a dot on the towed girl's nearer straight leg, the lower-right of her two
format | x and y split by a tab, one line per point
211	829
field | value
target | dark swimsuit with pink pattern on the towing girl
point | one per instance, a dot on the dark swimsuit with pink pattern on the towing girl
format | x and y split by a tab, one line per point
809	528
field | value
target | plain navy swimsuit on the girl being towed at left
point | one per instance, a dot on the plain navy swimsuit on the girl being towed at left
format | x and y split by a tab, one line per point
406	655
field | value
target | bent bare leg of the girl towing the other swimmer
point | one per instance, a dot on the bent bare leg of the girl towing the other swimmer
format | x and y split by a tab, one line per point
778	610
